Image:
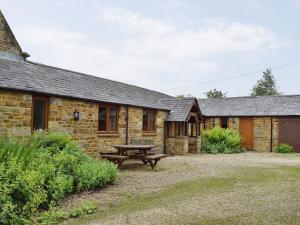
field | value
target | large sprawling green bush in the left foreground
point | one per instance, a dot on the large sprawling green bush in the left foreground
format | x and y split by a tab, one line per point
36	174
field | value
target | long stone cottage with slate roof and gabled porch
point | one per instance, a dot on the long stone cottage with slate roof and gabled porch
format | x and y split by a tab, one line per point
95	111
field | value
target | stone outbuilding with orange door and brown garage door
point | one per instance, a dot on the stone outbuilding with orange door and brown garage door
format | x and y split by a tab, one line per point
263	122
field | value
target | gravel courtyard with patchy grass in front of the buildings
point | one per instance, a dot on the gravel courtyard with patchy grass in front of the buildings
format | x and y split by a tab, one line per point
249	188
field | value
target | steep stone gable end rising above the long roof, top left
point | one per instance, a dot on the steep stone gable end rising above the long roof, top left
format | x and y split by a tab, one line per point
9	46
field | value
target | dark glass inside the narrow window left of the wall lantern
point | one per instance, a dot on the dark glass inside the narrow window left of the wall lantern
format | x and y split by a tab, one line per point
39	114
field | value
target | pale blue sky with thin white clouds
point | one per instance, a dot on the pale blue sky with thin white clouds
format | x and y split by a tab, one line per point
174	46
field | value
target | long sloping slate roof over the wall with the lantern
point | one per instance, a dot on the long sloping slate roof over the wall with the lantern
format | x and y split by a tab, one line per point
43	79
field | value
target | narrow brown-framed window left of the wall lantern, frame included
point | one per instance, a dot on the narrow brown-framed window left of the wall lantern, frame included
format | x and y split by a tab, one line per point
39	113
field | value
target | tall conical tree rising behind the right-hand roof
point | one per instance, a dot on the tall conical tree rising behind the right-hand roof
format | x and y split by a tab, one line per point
266	85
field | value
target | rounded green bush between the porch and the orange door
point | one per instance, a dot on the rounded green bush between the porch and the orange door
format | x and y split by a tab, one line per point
219	140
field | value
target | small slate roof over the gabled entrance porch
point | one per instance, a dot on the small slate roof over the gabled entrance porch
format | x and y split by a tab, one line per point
180	108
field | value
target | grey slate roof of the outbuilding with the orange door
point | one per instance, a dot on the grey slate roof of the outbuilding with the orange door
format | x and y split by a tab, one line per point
285	105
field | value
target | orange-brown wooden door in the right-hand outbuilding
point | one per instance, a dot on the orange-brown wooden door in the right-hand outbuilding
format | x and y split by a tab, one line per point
246	131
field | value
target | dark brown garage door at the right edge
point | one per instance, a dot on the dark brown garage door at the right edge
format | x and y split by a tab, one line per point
289	132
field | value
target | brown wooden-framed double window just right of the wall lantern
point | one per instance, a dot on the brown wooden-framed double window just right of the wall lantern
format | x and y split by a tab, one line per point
108	119
